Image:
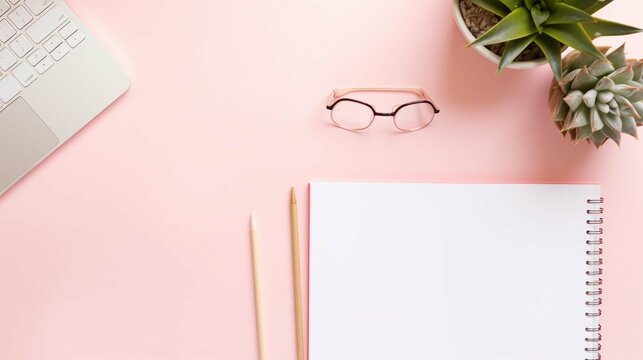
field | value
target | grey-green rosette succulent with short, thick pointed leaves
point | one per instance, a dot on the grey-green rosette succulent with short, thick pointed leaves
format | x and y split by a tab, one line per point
597	100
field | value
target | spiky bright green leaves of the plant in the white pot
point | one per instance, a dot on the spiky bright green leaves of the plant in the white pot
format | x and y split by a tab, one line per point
551	24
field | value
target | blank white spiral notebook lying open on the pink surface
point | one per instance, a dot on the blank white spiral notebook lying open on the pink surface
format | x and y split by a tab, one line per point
454	272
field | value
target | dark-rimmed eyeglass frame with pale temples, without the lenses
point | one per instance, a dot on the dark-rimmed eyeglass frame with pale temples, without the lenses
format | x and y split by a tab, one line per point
337	96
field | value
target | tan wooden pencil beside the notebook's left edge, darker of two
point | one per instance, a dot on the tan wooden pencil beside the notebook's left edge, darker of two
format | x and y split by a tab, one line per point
296	269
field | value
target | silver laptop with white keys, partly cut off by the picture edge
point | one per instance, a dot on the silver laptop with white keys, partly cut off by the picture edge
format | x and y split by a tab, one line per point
54	78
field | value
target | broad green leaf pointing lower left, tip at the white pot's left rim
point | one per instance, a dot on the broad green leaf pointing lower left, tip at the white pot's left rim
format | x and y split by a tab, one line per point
516	25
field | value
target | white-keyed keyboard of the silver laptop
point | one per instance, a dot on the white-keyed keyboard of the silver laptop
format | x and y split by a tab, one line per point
34	35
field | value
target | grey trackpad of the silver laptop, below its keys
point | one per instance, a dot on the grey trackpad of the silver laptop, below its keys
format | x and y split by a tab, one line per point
24	139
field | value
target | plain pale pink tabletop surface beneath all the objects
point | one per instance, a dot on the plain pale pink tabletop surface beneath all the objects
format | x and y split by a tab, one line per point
131	242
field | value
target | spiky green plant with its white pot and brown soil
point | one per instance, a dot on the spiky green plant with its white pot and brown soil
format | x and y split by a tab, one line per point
526	33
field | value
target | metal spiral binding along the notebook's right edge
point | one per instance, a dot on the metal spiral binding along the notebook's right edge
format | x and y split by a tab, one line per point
594	281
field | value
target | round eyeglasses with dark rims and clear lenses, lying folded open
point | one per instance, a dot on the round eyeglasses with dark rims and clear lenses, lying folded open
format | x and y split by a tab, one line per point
355	115
